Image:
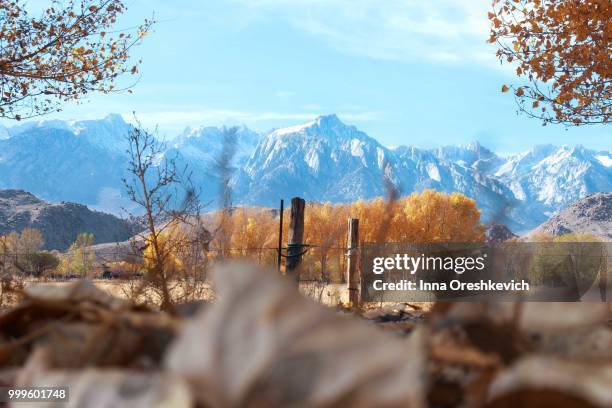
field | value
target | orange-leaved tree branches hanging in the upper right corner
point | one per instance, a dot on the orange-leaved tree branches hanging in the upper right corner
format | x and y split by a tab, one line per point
562	49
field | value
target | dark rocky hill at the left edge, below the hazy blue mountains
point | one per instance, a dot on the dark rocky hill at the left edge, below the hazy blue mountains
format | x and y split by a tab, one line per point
59	223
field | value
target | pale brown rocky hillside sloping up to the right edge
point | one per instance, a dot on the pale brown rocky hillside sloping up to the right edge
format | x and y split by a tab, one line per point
592	214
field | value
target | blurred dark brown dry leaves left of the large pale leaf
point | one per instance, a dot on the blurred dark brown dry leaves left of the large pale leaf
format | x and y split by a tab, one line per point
83	326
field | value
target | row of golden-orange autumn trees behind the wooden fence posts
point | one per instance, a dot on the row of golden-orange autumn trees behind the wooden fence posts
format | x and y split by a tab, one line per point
425	217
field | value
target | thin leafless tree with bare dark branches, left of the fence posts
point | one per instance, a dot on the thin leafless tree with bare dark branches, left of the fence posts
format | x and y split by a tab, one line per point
167	199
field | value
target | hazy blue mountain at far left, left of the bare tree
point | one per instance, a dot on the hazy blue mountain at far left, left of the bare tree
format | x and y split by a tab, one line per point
56	164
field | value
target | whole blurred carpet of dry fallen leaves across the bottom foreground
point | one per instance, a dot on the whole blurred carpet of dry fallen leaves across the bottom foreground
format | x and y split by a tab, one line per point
262	344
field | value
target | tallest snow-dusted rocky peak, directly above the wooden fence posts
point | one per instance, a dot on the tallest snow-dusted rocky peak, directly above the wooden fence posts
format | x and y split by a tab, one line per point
320	160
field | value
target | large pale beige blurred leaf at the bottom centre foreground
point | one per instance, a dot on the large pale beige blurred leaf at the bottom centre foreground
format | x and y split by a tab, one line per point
262	344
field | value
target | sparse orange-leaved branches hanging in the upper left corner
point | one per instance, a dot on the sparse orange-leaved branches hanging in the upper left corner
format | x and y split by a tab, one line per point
63	54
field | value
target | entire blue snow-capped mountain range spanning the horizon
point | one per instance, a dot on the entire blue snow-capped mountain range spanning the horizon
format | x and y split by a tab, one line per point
322	160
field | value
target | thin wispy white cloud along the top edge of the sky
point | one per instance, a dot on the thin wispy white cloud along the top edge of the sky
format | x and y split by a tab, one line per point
441	31
